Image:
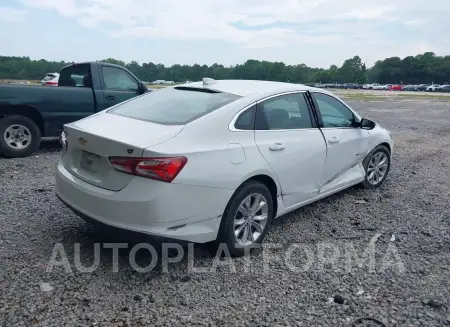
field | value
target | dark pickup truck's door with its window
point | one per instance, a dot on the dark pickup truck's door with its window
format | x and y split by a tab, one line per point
118	85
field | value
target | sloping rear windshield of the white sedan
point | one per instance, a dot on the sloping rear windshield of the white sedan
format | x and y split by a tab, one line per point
173	106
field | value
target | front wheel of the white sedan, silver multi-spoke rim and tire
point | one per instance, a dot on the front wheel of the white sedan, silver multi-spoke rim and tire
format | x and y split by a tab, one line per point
376	165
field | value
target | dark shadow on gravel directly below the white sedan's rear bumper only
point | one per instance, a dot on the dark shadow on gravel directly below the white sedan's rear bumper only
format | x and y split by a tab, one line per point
99	240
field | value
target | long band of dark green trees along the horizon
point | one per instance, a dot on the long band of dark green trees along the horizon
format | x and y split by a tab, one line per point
422	68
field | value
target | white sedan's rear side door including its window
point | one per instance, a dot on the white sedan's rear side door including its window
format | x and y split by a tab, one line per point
291	143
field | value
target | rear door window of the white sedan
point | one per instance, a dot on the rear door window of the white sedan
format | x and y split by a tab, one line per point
289	111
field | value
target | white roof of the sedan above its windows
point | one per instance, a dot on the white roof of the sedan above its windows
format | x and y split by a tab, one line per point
247	87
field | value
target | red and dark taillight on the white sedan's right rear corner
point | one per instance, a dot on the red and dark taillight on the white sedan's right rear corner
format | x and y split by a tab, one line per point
162	169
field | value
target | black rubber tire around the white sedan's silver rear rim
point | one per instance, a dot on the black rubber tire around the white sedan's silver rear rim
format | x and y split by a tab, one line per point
226	232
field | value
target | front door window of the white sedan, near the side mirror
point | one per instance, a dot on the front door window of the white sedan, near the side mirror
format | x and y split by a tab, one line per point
334	113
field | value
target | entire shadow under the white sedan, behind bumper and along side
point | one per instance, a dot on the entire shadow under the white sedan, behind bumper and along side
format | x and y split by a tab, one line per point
88	236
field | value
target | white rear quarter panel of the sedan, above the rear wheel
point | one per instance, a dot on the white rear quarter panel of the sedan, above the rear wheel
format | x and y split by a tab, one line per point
211	160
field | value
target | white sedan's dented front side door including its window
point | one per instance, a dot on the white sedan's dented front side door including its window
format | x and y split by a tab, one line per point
346	144
